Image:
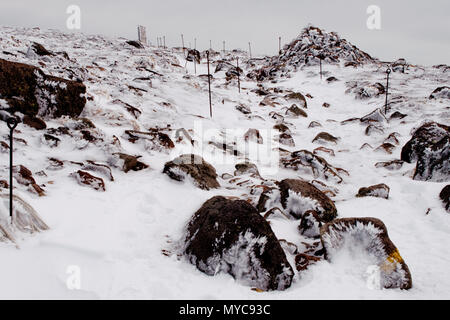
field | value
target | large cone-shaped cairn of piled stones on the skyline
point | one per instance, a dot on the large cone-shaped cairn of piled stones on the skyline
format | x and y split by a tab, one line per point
312	45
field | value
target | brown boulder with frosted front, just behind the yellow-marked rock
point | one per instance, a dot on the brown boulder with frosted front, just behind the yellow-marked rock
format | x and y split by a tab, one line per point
298	196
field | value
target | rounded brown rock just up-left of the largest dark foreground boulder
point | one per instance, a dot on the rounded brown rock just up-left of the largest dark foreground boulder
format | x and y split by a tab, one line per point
194	166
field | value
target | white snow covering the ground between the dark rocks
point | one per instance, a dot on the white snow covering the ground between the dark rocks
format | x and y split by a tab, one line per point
116	237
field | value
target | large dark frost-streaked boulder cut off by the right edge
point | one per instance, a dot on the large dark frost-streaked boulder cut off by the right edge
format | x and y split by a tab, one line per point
430	146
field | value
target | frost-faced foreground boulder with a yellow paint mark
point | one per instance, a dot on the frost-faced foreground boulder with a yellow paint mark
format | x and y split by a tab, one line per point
367	236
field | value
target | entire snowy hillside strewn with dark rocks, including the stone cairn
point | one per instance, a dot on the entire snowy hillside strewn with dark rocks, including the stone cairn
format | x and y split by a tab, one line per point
298	186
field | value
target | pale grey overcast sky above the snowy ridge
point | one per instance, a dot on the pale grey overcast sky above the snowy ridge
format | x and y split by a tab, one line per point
416	30
